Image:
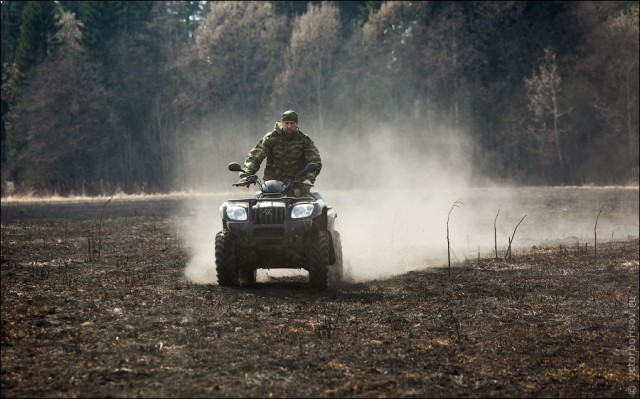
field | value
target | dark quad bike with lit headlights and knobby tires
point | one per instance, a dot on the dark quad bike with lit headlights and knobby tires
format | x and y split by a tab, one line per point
272	230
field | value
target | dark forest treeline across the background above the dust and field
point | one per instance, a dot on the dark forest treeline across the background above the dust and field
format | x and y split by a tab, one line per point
106	96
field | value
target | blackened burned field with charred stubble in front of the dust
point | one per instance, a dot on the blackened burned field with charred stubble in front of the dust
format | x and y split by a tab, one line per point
96	304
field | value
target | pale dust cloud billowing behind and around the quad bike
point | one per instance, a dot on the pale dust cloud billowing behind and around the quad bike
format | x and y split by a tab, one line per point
394	188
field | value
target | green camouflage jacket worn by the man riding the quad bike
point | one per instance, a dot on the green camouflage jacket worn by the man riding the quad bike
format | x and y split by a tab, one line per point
286	156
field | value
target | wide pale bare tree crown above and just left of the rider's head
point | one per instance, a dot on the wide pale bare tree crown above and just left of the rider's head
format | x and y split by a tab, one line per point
237	50
